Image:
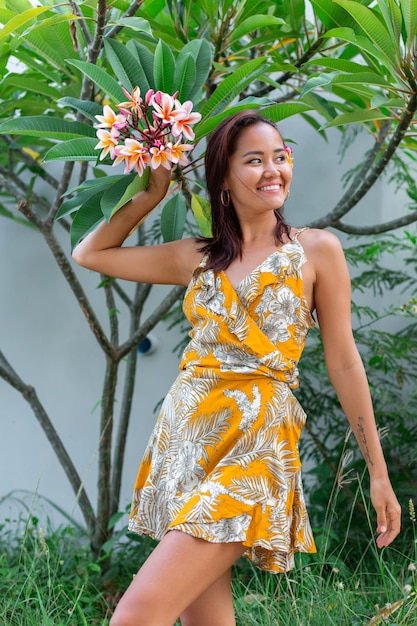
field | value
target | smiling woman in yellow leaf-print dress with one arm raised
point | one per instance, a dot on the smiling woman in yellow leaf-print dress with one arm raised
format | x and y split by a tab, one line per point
221	475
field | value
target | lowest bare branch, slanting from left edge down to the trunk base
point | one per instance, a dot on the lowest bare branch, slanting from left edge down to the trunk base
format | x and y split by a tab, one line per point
29	394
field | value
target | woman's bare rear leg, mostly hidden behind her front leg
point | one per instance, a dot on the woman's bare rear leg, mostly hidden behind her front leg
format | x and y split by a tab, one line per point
213	607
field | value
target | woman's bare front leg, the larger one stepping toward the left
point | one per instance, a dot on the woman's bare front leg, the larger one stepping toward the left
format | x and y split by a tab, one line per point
177	573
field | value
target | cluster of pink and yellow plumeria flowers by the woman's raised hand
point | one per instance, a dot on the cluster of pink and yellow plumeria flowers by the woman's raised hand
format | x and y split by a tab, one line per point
147	132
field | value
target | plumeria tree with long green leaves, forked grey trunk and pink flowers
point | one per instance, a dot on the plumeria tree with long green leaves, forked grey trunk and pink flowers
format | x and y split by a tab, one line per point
130	84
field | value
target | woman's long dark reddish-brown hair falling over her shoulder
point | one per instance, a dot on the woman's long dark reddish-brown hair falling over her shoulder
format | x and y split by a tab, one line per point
226	243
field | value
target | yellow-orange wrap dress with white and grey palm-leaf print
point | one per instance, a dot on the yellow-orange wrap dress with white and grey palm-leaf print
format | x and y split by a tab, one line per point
222	463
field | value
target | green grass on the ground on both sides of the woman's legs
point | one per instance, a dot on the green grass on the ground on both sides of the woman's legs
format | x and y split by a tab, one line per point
48	578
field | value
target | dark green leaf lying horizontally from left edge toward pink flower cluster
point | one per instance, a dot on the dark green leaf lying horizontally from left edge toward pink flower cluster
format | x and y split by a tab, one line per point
45	126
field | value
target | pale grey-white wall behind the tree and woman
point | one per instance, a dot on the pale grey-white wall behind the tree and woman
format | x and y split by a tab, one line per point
44	335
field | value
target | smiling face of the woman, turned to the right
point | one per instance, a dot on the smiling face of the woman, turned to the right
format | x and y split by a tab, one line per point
259	175
